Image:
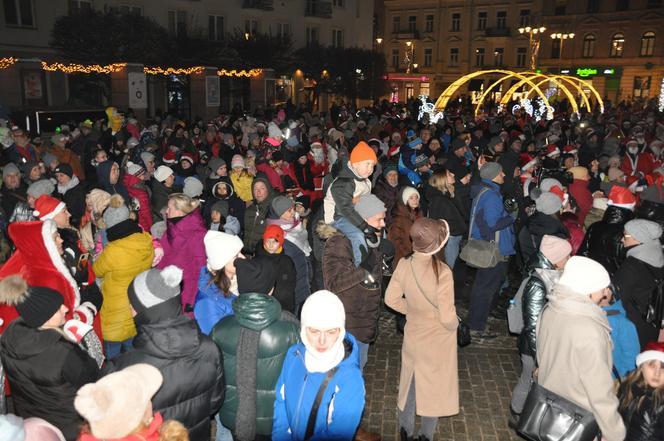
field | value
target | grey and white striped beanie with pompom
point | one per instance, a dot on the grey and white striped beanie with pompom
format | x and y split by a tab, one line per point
154	286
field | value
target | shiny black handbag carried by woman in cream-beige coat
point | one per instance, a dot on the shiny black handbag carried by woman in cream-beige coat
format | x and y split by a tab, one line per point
547	416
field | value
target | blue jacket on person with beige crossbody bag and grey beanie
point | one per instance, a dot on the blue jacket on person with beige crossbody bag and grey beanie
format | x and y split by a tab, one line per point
490	216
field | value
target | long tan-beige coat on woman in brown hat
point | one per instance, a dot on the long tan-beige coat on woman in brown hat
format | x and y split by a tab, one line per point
429	352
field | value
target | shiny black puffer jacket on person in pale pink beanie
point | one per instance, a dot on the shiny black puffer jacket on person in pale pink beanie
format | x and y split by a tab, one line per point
541	277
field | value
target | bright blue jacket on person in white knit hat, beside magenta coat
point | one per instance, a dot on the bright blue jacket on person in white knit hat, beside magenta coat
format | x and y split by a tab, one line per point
211	305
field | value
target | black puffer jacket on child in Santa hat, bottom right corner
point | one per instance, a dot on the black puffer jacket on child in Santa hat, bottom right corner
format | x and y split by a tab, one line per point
643	423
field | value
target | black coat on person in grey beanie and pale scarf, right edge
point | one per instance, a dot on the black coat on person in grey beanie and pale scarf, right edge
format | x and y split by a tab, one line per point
635	281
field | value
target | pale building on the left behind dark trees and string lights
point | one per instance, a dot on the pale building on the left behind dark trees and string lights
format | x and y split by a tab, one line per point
25	29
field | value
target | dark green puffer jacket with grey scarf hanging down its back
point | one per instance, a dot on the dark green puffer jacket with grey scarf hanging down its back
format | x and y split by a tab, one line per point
279	330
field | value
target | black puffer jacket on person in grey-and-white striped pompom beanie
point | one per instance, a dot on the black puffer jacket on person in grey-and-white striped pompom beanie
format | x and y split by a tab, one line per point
190	362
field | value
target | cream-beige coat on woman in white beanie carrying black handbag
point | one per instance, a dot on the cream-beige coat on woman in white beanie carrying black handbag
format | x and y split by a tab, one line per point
574	357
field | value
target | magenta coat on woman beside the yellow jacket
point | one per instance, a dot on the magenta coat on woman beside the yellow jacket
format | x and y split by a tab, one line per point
183	247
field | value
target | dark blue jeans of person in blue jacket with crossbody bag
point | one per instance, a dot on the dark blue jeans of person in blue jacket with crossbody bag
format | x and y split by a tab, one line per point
485	288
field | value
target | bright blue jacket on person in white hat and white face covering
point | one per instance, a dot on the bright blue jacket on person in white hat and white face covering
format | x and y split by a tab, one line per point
341	408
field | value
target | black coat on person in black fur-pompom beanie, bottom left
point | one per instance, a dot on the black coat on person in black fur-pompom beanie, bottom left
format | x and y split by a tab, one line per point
45	370
